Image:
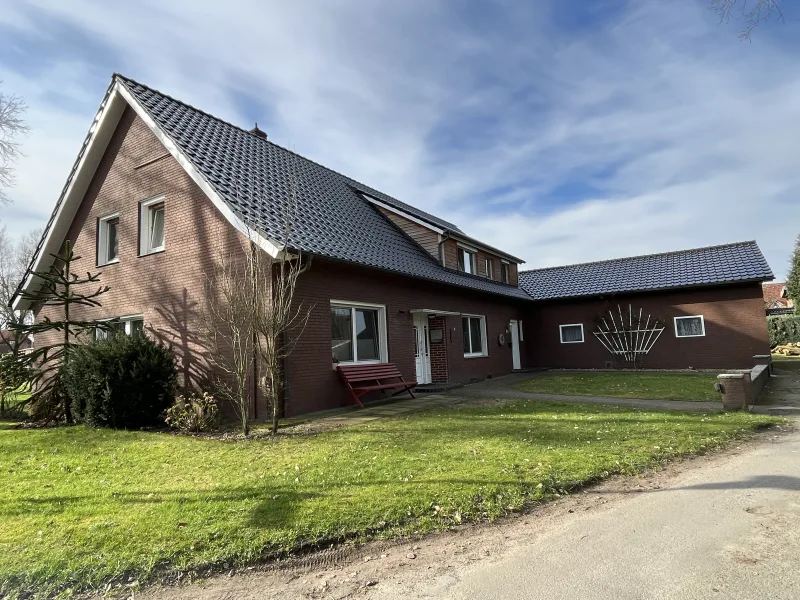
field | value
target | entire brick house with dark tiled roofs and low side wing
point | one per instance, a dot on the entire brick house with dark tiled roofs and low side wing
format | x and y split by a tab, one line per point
161	189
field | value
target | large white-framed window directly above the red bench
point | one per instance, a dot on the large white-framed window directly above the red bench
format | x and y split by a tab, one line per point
358	332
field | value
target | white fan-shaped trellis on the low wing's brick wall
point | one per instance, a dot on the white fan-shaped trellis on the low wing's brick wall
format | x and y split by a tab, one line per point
628	336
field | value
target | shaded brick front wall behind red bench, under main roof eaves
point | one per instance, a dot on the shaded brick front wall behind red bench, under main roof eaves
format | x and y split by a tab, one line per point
313	383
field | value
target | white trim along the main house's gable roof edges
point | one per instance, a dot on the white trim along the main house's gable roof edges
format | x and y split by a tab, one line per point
104	125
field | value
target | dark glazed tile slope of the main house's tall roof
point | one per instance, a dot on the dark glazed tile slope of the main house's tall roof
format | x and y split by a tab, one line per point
257	178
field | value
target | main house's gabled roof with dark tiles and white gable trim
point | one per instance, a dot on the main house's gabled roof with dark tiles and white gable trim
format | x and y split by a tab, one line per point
252	182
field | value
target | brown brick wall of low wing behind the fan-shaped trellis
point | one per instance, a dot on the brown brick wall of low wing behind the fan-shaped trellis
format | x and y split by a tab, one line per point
734	318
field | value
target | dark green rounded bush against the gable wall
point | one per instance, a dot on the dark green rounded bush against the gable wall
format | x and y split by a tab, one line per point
124	383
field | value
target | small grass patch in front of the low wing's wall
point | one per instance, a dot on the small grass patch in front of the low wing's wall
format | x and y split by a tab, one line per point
653	386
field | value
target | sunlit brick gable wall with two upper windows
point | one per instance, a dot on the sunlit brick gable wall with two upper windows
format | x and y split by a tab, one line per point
167	288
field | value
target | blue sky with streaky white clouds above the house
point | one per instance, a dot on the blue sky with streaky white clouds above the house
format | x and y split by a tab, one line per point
563	131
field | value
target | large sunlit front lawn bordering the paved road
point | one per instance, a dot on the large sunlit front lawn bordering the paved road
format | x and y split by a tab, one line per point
82	507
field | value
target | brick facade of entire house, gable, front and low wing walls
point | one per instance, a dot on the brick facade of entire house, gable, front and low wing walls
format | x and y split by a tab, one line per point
168	290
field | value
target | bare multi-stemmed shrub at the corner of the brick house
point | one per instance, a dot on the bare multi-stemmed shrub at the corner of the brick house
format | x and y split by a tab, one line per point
252	319
